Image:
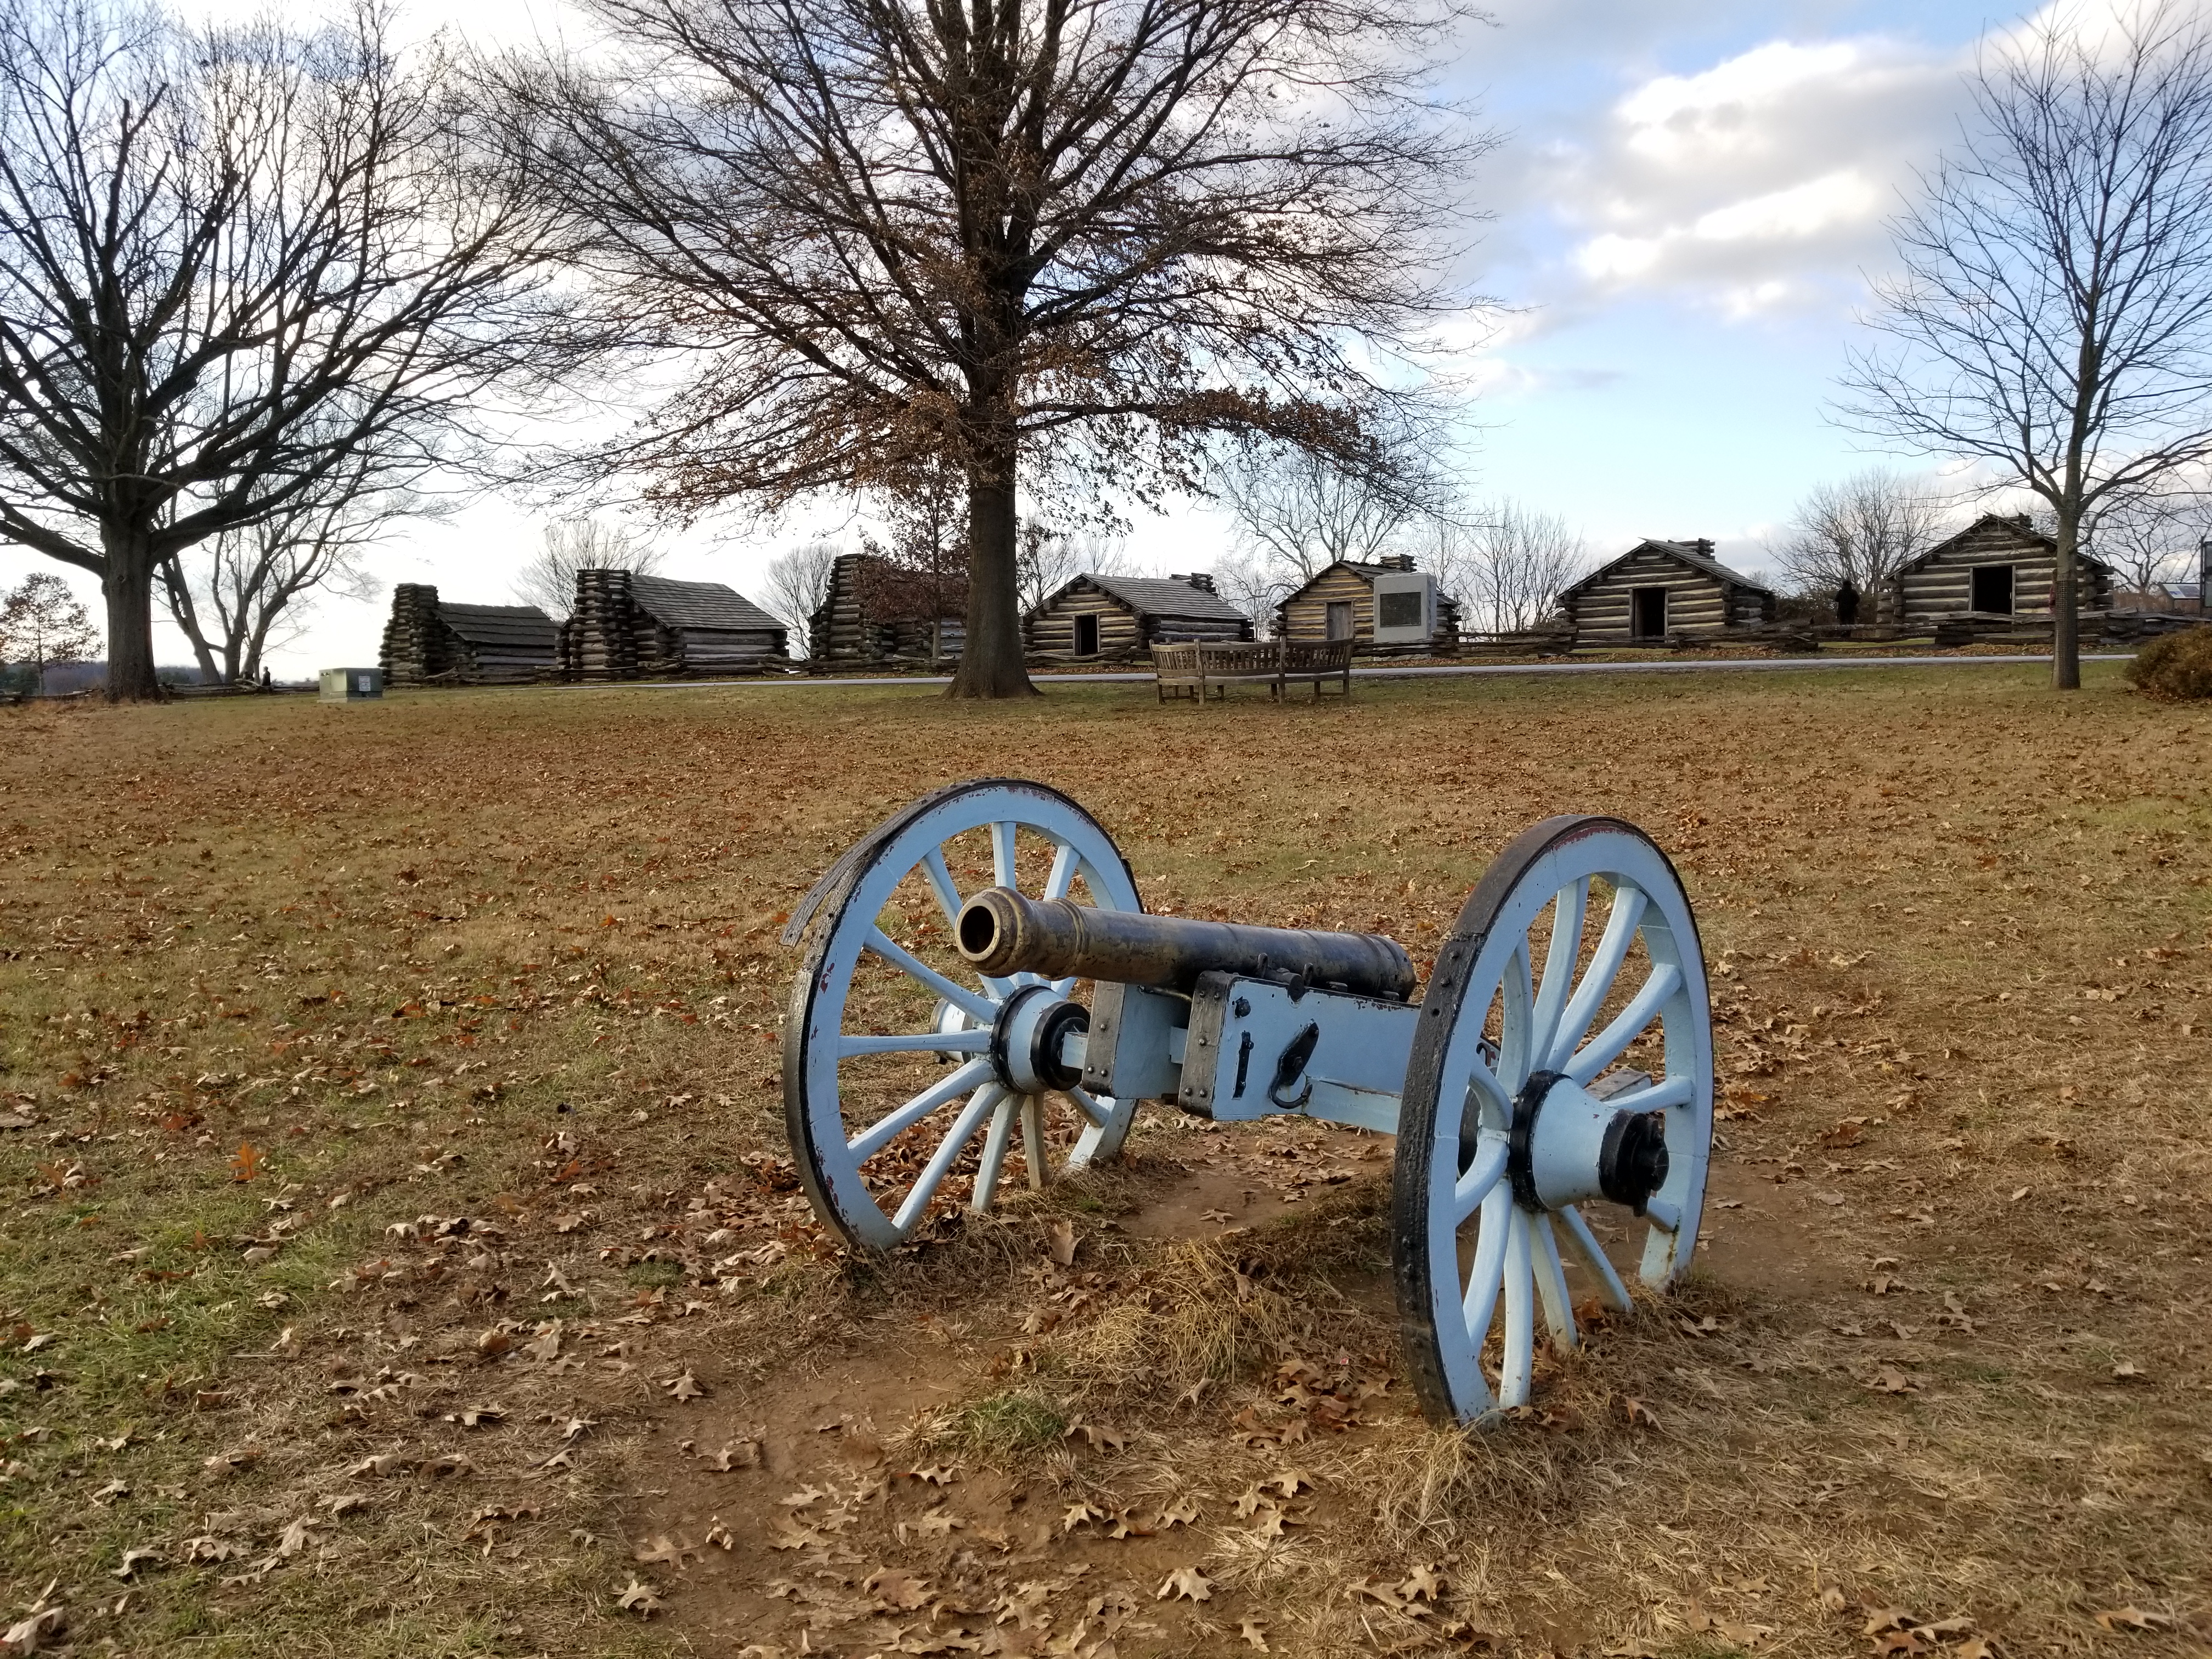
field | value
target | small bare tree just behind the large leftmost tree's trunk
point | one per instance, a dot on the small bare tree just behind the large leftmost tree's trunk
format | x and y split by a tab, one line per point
251	583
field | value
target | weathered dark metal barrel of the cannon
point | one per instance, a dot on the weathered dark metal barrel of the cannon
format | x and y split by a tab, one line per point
1001	935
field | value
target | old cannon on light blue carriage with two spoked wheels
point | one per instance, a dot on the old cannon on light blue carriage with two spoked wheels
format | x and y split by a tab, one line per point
981	985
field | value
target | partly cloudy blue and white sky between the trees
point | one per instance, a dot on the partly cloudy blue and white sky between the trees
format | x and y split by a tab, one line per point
1684	218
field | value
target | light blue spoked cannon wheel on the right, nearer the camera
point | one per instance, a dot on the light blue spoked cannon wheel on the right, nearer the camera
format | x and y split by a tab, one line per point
1481	1255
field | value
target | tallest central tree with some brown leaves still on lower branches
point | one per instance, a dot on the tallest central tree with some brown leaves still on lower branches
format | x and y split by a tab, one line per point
1063	240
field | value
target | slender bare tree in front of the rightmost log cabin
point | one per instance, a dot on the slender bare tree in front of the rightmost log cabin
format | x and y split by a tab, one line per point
2054	313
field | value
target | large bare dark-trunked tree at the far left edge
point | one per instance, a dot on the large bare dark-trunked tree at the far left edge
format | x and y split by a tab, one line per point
233	267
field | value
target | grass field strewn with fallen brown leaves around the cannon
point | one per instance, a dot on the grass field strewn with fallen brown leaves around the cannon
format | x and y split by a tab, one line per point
401	1255
